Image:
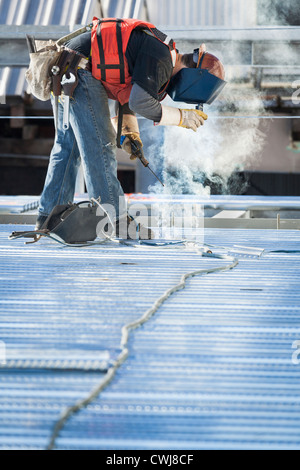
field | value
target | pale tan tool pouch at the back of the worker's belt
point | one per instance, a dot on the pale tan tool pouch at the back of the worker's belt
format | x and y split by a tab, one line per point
38	74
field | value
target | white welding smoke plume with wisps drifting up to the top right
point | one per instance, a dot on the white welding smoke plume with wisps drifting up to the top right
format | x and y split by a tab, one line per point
222	148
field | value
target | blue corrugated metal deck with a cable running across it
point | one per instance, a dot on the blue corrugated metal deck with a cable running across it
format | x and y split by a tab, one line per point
212	369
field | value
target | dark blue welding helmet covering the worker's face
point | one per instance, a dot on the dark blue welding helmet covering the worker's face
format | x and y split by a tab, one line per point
201	83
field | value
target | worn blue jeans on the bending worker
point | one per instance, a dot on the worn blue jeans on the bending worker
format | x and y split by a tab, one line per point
90	139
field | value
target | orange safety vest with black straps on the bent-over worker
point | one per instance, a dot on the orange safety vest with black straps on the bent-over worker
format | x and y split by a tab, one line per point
109	64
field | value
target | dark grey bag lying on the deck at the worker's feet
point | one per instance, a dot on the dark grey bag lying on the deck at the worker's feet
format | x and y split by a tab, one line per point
72	223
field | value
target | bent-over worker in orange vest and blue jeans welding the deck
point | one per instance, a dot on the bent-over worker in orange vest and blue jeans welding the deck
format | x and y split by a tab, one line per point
133	63
